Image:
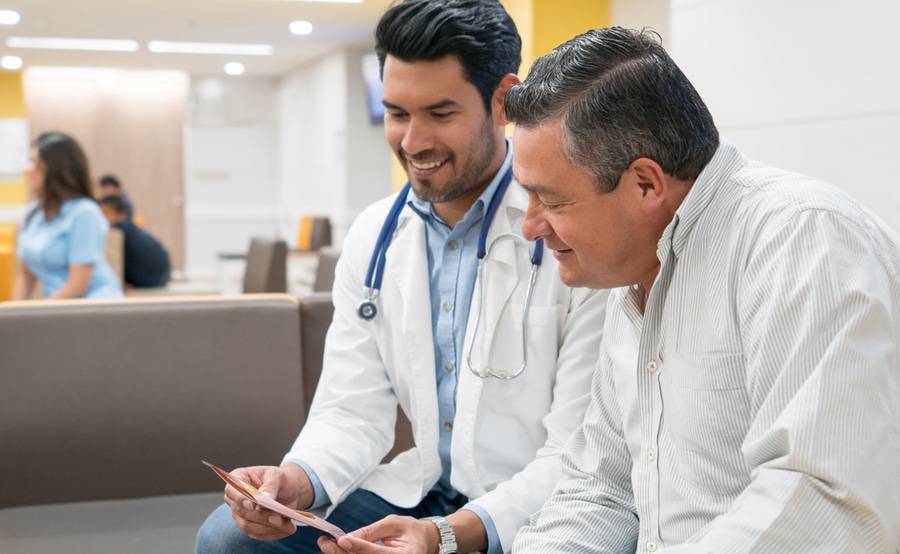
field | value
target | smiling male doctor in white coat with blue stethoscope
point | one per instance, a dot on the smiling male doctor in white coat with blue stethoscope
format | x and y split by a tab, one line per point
487	449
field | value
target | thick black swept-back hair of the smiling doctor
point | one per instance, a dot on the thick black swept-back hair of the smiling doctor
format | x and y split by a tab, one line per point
479	33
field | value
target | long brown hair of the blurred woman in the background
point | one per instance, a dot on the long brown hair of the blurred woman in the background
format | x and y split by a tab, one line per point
67	175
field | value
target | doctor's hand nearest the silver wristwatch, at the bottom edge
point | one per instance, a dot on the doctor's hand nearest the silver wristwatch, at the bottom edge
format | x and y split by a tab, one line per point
398	534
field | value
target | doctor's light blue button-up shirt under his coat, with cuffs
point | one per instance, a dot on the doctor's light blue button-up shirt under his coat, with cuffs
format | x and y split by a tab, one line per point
452	269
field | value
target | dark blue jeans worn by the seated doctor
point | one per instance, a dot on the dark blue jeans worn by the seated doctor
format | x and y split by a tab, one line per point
219	534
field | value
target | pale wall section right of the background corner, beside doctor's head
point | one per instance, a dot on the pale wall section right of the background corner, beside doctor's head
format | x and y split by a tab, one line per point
334	162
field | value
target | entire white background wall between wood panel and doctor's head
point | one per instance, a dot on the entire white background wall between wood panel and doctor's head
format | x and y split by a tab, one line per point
262	153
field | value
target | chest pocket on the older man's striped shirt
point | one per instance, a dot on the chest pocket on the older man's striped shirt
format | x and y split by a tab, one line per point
705	413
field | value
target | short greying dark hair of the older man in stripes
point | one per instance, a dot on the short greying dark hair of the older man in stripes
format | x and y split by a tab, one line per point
620	97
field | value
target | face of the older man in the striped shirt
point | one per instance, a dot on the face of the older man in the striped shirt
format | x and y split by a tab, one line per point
597	238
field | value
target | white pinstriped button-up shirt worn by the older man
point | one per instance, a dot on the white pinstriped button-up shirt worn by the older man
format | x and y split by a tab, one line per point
755	405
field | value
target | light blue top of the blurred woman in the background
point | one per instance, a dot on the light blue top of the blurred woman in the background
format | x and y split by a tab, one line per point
77	236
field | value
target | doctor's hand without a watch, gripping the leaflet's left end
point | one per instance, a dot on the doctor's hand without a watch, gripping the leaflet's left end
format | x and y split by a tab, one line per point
287	484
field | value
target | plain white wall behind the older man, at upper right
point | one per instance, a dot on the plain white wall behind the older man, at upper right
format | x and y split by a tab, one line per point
807	85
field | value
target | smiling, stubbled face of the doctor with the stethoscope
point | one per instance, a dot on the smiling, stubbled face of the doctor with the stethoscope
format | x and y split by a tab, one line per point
437	125
